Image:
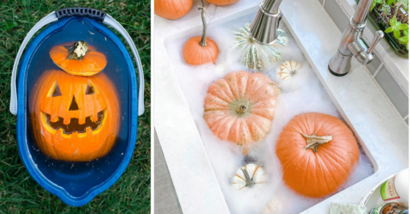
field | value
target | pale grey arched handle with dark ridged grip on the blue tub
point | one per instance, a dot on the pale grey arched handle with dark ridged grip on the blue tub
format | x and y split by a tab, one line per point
54	16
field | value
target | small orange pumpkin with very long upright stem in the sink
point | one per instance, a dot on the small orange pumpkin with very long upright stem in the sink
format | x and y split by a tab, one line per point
200	50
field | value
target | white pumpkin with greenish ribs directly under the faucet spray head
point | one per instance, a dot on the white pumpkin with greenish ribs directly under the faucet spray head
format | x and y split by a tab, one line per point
254	55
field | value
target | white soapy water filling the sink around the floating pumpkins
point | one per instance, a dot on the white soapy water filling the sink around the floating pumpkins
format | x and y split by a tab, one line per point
301	93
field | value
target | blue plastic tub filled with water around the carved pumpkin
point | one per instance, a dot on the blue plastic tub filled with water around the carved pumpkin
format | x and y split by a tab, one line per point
77	183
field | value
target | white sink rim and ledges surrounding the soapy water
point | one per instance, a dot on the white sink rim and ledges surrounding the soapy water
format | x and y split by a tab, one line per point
380	131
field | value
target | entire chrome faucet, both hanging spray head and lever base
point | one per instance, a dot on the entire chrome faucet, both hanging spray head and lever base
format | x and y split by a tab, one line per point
264	31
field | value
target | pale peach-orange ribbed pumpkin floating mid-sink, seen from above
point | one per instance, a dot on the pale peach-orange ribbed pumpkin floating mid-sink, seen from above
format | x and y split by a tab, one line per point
240	107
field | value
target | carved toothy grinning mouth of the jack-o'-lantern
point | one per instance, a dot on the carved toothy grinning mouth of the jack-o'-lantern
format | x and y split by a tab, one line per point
90	124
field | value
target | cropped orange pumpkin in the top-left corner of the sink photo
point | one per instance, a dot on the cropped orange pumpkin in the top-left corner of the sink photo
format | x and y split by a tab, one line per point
172	9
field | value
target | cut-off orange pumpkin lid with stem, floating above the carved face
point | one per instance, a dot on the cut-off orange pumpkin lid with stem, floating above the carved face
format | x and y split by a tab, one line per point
78	58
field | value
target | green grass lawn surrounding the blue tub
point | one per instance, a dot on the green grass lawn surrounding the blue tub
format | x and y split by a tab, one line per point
19	193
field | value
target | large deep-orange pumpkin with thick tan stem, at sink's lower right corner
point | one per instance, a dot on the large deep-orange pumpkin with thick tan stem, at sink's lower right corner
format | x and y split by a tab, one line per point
317	153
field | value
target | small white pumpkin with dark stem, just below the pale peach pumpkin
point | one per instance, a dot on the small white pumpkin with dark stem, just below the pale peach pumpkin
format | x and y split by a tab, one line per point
248	176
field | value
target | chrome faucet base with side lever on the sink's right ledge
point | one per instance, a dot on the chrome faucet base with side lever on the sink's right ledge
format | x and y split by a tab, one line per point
352	44
